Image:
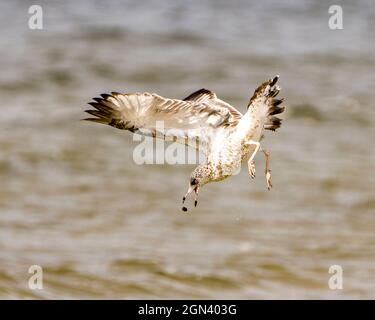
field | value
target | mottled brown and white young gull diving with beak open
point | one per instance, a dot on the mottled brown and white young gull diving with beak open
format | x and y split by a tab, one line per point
202	121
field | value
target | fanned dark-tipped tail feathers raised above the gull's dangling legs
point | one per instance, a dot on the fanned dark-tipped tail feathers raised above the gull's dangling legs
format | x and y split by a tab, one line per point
265	94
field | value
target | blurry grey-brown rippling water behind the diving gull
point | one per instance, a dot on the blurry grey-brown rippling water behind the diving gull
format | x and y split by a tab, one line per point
73	201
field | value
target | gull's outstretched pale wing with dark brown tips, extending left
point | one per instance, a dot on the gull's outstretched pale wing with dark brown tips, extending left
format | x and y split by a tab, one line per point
191	121
